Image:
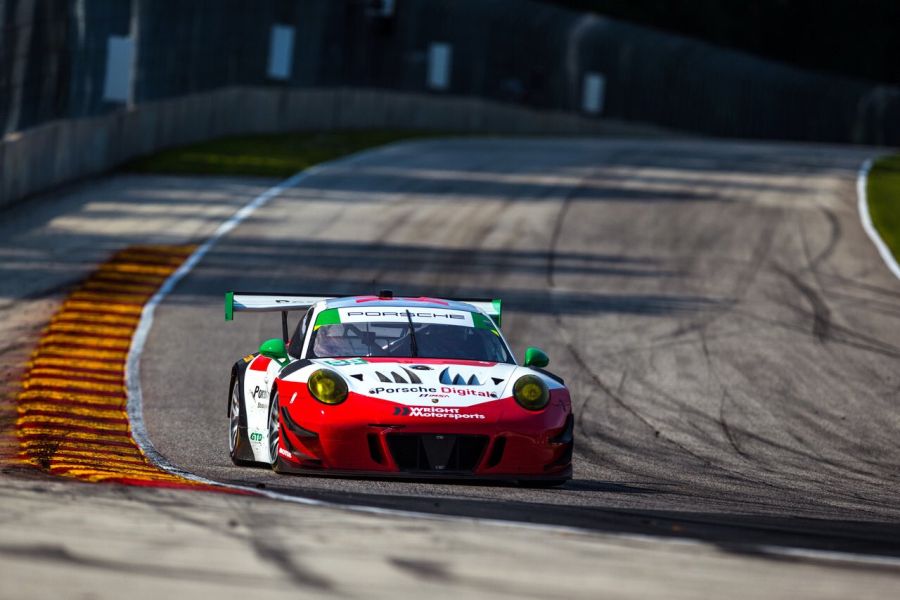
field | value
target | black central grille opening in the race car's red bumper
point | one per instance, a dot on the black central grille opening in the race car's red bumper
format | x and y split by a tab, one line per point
437	452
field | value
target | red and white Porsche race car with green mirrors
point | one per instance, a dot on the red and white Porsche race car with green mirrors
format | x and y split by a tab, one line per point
378	386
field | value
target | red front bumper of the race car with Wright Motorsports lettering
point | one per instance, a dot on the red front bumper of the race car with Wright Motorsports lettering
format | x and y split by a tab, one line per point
356	437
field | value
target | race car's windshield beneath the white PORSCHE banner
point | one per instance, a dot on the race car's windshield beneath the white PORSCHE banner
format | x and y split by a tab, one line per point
480	341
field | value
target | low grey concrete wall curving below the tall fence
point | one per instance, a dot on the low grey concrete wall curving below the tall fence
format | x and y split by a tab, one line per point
43	157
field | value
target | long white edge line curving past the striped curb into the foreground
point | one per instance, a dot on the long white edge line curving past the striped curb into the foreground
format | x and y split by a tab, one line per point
134	409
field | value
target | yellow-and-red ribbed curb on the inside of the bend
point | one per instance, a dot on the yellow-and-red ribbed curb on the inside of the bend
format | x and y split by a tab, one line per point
71	417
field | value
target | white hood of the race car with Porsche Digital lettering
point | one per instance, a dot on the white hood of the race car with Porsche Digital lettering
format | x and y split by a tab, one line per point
457	383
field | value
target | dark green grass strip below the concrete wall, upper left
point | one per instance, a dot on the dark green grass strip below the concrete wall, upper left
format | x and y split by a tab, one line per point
279	155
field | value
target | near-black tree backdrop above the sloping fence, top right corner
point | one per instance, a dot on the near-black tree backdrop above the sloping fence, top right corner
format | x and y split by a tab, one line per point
858	38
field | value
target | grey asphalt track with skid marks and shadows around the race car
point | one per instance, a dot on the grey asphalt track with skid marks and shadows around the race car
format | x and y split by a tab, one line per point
730	335
